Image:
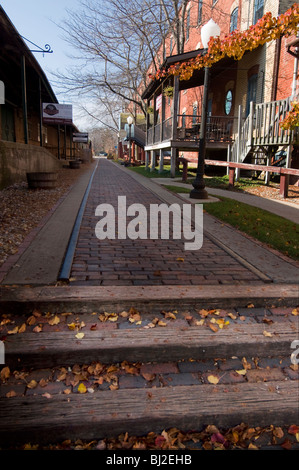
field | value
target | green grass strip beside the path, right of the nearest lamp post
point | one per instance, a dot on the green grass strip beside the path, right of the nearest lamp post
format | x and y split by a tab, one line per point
273	230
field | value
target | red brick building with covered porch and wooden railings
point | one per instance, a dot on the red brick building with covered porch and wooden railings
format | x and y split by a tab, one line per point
263	76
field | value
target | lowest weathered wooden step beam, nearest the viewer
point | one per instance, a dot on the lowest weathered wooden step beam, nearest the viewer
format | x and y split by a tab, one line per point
104	414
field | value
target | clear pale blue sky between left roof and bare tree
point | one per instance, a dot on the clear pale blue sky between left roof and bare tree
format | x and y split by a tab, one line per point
35	20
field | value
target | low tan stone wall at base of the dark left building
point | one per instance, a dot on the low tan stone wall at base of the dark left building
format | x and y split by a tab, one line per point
17	159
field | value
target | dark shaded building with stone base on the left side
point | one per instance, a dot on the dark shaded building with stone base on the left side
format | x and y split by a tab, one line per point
27	142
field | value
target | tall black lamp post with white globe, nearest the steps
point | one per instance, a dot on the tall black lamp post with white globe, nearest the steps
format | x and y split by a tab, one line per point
198	192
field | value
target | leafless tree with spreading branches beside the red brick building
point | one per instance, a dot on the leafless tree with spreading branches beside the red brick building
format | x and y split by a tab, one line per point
115	43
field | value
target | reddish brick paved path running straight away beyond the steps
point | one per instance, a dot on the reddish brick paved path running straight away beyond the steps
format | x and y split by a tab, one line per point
144	262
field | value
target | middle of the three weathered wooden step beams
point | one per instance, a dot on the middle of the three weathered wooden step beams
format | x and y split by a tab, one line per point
47	349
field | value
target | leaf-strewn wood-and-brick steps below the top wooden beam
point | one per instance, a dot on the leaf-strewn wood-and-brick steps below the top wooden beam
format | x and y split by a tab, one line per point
96	375
